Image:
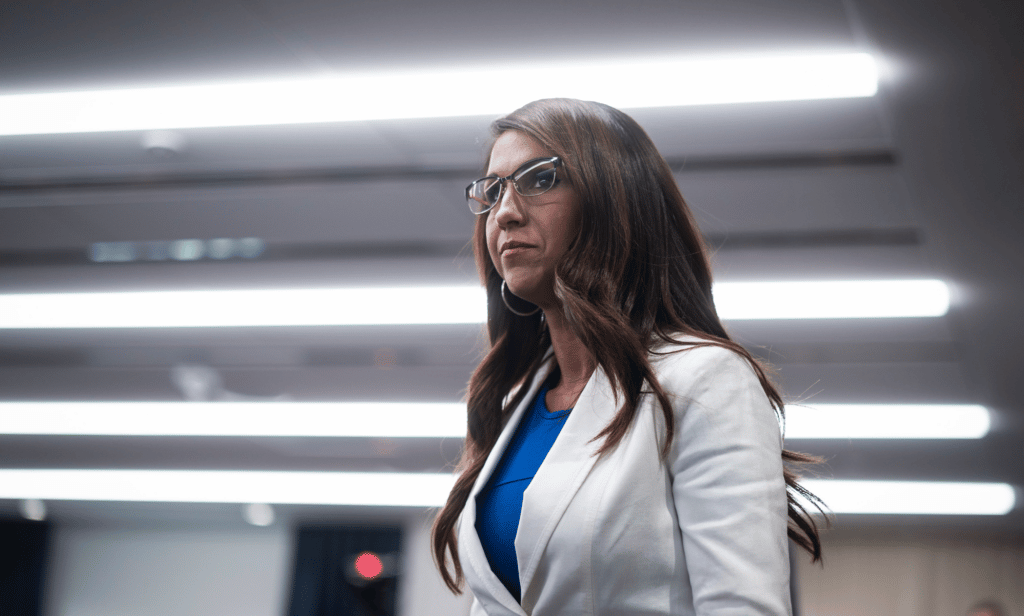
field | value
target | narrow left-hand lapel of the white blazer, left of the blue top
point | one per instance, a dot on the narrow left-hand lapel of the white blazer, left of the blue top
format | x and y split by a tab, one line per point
489	590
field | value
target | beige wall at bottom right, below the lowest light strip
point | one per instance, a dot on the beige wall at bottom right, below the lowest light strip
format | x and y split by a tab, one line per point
913	574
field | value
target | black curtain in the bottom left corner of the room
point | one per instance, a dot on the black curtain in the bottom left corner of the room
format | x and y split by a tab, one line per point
23	566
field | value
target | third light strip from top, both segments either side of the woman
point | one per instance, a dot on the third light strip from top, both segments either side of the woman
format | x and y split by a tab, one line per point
415	420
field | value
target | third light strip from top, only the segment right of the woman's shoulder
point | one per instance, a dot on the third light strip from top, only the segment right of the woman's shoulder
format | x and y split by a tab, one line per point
886	422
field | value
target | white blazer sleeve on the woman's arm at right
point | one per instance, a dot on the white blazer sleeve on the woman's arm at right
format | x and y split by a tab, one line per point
728	485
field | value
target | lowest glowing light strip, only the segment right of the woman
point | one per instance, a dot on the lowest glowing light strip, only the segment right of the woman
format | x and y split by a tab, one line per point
915	498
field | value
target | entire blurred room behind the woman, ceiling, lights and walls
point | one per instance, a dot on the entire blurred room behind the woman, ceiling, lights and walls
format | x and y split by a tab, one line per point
118	508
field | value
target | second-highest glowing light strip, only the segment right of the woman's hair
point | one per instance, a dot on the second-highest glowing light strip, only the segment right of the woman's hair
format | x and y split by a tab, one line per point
832	299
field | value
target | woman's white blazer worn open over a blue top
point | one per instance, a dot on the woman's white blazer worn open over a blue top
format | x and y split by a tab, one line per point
628	535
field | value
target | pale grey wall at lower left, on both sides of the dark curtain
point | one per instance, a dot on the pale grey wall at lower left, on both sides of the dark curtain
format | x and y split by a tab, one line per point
223	570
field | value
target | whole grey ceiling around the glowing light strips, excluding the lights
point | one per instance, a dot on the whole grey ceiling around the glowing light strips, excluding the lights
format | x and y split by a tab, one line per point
923	181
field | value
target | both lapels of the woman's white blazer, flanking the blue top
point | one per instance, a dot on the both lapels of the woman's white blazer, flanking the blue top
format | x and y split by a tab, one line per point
564	471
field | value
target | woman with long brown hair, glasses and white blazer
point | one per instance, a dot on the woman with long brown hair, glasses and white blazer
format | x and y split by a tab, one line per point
624	456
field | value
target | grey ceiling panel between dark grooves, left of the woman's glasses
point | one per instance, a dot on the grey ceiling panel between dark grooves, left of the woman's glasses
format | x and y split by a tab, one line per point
365	211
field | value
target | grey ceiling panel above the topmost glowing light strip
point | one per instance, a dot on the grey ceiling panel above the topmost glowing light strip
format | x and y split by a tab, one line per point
117	42
